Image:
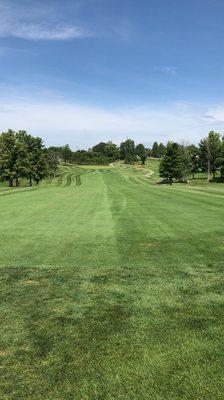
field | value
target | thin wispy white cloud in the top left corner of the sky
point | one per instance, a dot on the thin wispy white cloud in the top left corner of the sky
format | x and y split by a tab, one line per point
33	25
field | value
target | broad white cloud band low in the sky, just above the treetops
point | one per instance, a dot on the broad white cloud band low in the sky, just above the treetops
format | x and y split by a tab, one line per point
59	122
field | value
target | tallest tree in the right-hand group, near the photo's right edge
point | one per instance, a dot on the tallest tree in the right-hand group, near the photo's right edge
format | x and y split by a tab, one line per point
209	154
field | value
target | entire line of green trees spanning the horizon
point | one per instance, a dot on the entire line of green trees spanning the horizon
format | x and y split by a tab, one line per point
24	156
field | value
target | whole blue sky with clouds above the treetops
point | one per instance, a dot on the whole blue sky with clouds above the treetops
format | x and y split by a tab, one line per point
83	71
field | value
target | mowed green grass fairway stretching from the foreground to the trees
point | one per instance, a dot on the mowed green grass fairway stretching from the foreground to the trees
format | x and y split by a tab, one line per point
111	288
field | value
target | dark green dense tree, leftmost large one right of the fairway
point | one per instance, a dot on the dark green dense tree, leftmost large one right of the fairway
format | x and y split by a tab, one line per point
171	165
